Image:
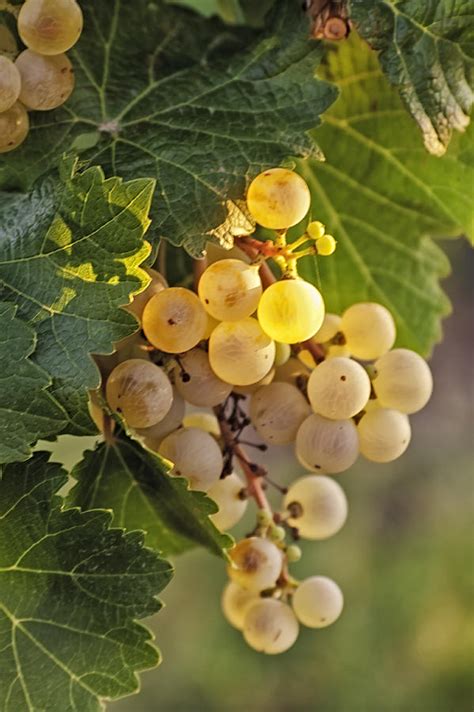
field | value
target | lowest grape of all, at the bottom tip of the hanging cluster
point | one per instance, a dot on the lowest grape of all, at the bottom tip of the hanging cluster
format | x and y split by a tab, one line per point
270	626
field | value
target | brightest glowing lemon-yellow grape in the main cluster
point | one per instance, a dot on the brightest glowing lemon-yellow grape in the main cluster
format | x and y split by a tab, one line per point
291	311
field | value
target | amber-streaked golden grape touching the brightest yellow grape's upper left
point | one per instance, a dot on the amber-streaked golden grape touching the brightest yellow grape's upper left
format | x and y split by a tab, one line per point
230	289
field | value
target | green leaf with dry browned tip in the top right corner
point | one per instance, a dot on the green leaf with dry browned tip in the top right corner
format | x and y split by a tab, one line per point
427	51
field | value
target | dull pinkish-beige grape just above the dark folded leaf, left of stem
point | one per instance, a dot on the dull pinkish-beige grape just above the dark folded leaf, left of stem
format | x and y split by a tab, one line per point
195	455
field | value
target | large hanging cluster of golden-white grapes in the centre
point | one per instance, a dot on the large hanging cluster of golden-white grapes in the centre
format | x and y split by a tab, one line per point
260	352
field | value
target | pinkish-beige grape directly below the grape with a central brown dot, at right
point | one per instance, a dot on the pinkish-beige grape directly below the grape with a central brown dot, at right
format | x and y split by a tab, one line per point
324	445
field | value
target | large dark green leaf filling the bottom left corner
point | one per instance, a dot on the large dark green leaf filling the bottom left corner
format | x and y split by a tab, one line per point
71	590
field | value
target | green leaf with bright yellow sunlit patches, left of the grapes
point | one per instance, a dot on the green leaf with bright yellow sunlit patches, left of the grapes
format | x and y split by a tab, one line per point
69	257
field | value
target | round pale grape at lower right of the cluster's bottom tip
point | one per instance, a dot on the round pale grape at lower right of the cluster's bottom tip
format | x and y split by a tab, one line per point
318	602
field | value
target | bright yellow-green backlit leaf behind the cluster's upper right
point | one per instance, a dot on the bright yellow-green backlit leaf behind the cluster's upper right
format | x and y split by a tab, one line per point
381	195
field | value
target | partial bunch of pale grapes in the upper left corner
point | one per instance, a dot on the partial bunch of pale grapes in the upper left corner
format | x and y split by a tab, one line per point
40	77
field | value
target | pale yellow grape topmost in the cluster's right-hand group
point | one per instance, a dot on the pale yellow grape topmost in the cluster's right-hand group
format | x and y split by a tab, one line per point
369	330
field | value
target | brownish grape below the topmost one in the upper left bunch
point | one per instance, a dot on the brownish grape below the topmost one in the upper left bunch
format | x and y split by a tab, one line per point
46	82
